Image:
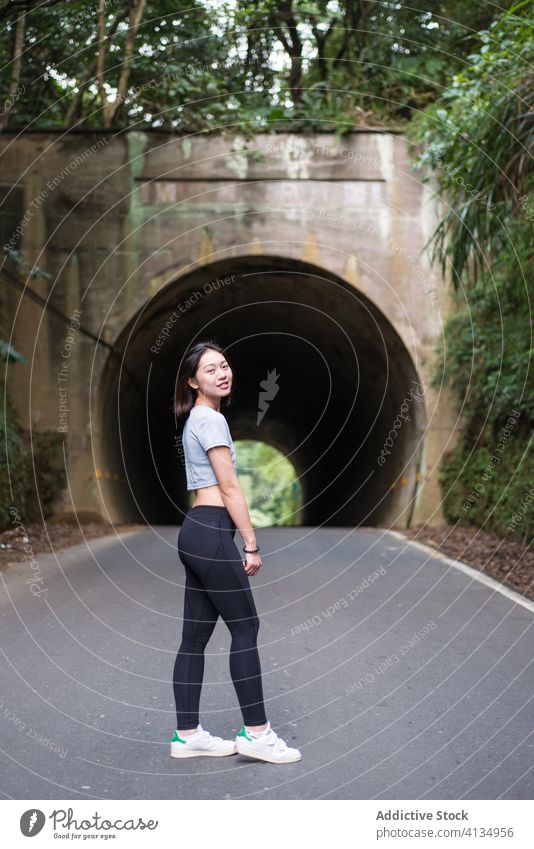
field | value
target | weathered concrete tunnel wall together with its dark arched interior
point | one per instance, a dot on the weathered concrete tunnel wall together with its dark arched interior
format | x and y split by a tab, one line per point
323	237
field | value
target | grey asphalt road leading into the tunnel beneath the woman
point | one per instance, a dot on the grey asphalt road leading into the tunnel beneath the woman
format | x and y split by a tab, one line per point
397	675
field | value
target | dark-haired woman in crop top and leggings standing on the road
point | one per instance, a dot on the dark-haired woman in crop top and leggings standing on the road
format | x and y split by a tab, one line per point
216	578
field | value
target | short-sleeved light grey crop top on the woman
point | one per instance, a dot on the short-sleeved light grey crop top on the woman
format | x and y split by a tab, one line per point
204	428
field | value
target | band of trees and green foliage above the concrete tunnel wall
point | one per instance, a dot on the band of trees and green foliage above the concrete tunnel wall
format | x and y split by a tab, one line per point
203	66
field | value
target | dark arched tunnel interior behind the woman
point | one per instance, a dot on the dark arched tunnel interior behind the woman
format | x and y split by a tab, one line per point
347	413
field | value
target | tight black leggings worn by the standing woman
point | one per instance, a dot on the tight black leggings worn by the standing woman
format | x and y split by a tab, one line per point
215	583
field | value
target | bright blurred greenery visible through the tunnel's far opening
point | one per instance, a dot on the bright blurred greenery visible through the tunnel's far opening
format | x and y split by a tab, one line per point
268	482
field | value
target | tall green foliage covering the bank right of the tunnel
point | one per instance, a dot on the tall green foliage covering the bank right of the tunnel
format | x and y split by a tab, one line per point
480	139
